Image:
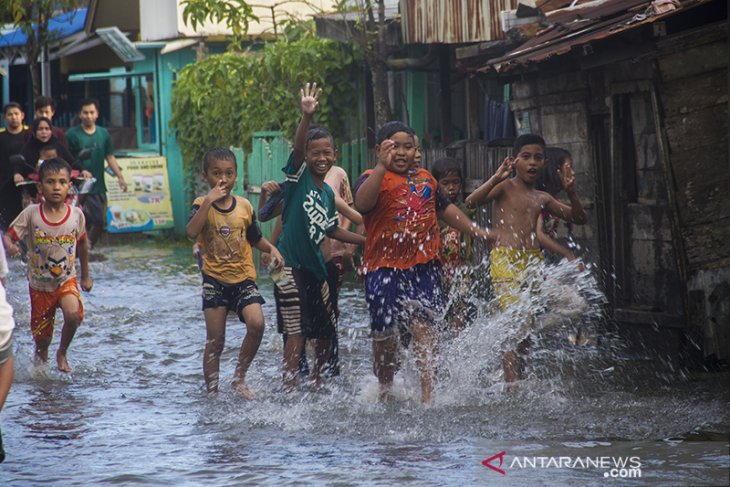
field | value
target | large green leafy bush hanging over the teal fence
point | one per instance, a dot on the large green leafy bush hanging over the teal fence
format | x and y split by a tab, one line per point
225	98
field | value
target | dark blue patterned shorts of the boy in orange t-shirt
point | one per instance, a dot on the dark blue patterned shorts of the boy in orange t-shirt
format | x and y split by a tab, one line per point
393	295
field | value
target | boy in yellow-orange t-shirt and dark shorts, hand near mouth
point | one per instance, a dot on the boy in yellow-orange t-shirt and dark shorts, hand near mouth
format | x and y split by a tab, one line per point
227	224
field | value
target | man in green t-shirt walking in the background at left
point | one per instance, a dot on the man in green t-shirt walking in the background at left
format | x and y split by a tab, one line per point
88	135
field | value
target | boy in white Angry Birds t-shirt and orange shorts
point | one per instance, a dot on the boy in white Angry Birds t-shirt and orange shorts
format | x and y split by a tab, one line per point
53	229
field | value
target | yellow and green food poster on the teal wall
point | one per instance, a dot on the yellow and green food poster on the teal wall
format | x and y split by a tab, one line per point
146	205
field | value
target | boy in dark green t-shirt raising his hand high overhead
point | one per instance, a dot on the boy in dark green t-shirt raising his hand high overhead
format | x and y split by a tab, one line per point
302	299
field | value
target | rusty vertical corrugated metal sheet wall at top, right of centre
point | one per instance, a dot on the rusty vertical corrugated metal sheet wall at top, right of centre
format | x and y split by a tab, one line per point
452	21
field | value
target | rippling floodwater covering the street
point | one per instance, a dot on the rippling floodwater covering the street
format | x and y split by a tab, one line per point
134	411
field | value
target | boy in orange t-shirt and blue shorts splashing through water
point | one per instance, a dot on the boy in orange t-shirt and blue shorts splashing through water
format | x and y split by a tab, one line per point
401	206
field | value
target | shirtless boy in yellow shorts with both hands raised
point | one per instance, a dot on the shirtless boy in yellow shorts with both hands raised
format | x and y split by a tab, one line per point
517	205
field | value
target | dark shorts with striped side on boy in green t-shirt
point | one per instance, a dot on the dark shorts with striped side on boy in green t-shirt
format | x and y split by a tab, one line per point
303	306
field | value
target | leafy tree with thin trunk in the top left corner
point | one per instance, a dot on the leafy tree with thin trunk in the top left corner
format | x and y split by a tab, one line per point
32	16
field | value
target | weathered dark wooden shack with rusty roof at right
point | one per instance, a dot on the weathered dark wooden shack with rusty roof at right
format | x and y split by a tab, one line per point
638	92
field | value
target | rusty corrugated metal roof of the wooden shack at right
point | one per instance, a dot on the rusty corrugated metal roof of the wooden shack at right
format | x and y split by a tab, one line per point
572	27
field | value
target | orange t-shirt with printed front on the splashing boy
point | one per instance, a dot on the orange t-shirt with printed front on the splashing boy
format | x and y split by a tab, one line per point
402	229
